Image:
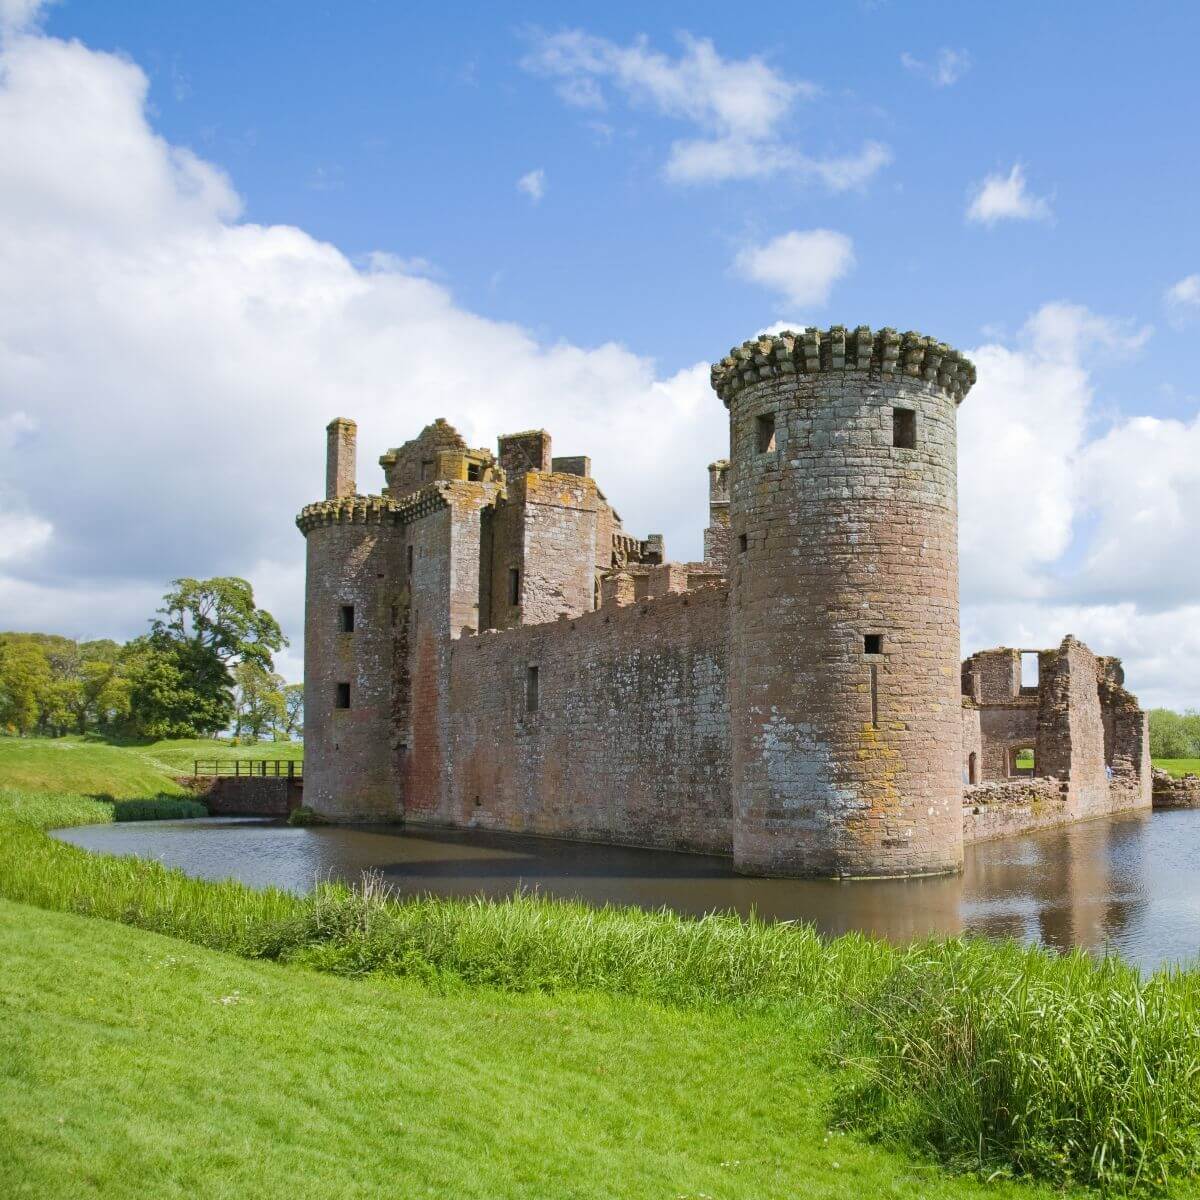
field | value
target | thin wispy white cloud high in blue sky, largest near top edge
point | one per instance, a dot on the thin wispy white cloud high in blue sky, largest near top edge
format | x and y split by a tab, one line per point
740	107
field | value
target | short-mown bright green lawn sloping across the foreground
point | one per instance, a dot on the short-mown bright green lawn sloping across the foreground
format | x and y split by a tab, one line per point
134	1065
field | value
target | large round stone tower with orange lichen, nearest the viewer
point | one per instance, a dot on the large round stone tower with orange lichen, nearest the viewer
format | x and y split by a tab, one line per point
844	602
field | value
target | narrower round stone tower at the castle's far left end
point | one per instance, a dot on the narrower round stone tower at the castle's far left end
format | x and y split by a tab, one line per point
353	563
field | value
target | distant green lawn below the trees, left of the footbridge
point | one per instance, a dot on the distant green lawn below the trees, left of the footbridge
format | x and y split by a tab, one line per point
93	767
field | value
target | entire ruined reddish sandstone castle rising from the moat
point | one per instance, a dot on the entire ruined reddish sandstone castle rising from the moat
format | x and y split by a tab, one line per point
488	647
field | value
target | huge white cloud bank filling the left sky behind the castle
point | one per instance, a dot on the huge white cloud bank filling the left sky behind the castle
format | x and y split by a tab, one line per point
167	370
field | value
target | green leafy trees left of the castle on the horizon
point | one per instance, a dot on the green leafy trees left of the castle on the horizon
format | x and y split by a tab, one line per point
205	667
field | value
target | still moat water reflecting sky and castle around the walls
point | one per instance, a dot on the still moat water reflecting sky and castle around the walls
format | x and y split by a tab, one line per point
1126	885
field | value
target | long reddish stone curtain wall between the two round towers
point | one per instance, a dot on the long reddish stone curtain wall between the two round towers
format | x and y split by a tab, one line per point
628	740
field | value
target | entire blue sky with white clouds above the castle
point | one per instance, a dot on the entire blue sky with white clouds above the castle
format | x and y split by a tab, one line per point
229	223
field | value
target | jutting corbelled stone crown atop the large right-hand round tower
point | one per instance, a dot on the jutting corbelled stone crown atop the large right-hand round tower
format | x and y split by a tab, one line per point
838	349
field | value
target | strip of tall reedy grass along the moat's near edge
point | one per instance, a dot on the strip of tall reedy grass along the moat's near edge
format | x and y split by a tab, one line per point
988	1057
